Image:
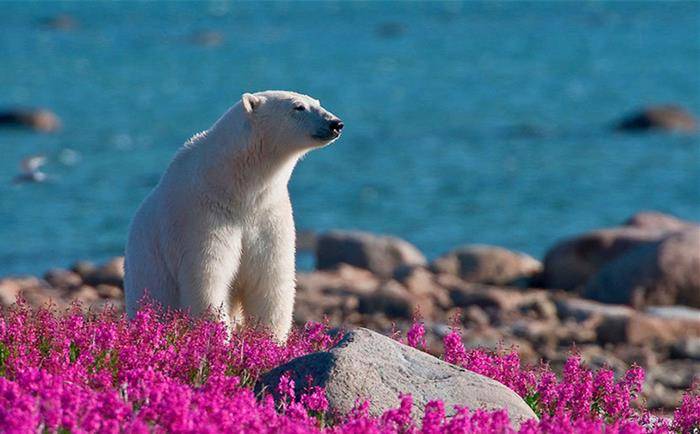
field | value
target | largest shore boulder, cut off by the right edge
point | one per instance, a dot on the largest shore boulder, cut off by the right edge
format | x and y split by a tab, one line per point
663	273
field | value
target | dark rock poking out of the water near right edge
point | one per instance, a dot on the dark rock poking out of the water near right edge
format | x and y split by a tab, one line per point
664	117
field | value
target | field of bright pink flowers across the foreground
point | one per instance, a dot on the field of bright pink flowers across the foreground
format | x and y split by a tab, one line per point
165	372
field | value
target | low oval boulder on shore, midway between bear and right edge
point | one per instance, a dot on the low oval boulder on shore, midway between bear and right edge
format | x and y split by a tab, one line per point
487	264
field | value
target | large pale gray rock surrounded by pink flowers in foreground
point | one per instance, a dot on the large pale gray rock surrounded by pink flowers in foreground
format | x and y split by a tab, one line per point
367	365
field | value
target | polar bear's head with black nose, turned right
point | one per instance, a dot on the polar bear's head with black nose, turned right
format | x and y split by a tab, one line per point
289	119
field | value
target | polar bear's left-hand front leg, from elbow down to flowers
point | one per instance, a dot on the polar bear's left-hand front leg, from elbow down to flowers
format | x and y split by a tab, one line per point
205	275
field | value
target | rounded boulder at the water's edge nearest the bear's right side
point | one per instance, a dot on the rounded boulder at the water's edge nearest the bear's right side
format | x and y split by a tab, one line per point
378	254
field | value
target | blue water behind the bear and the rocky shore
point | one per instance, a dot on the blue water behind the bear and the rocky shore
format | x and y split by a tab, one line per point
478	122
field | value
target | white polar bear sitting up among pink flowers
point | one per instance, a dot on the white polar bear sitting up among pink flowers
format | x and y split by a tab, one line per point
217	231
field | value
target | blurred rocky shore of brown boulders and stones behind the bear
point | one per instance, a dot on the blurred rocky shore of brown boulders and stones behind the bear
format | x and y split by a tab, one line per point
620	295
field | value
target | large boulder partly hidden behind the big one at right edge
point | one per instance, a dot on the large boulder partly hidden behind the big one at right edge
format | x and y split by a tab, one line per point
570	263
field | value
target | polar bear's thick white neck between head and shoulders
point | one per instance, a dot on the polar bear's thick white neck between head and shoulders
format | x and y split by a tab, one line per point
239	164
